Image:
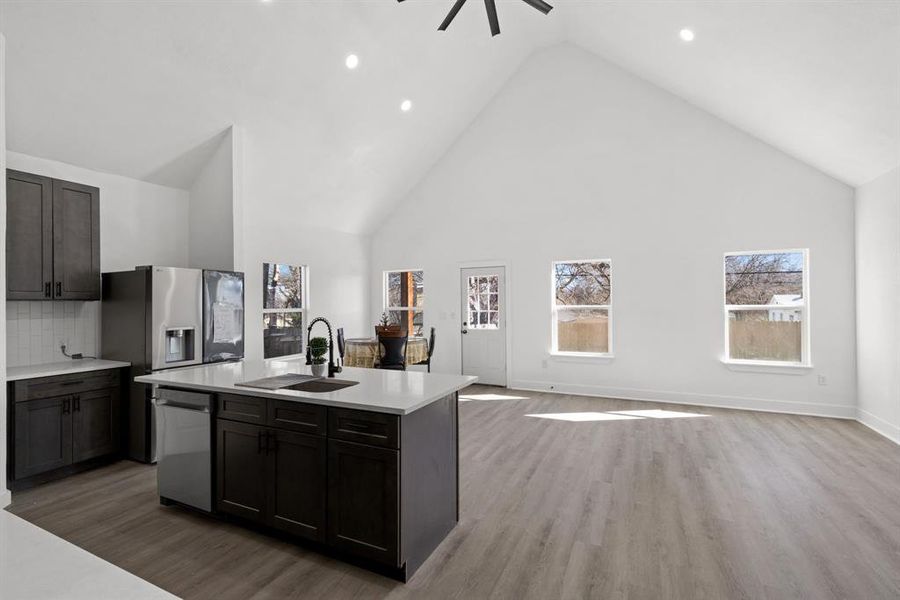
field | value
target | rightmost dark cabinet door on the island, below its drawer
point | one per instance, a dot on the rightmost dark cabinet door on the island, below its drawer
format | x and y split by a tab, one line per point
363	501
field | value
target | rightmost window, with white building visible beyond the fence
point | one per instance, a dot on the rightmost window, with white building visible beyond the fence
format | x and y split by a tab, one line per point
766	302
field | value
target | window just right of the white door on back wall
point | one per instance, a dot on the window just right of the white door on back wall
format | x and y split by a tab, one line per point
581	307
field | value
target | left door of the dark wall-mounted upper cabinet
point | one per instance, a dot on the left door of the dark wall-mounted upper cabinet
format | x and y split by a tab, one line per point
29	236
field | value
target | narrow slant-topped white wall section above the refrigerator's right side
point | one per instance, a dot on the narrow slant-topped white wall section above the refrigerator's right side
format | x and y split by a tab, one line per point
211	239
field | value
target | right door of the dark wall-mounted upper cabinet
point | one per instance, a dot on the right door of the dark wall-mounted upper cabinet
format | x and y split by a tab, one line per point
76	241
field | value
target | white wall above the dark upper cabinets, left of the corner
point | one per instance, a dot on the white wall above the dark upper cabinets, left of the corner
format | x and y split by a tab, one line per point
140	223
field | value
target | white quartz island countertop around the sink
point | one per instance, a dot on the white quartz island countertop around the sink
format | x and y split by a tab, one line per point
394	392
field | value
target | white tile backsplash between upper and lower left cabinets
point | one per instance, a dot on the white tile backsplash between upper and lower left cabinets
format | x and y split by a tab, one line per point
35	331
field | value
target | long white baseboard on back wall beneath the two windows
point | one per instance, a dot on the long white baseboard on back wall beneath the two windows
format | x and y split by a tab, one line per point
838	411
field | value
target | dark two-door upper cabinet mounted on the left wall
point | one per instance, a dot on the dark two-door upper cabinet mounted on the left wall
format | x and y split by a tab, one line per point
52	239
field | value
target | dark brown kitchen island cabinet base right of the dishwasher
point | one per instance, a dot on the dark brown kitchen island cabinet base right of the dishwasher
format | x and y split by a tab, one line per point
377	487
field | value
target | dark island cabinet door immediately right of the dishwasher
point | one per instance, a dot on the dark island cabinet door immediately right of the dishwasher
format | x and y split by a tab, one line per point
241	470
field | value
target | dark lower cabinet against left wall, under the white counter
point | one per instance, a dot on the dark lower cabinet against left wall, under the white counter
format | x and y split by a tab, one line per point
62	424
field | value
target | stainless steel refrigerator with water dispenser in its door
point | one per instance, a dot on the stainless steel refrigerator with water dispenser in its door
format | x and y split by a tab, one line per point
162	318
